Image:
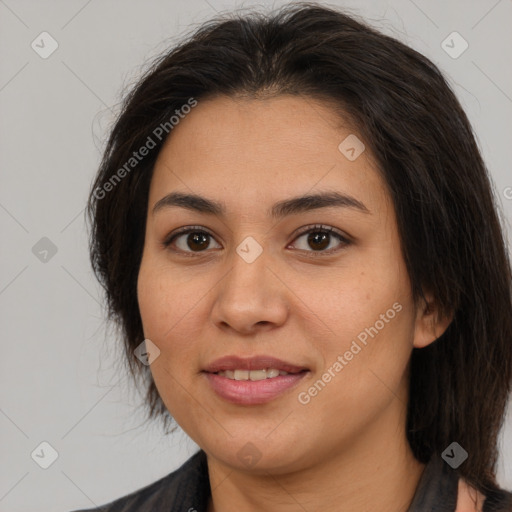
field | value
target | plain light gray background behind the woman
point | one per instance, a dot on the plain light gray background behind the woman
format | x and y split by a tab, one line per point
60	373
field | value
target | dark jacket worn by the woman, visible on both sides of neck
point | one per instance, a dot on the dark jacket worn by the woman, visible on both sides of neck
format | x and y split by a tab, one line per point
188	490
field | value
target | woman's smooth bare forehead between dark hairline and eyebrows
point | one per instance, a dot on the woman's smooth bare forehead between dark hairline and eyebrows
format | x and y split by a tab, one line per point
252	149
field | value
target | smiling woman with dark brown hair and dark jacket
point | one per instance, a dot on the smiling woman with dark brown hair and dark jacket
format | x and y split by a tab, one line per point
309	271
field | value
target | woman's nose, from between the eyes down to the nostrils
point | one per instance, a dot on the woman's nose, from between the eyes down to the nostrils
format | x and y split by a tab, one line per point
250	298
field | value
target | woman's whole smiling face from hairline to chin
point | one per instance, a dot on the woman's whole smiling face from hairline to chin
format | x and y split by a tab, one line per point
317	289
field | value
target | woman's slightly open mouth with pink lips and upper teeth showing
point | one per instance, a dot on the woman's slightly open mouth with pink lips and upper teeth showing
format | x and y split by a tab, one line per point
252	381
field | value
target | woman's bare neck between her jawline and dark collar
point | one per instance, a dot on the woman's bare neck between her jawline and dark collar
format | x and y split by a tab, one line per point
377	471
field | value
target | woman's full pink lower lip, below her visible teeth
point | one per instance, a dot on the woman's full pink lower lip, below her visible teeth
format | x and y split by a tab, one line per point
252	392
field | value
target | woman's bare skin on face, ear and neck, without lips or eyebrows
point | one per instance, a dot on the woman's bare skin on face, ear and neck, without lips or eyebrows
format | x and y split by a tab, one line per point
346	449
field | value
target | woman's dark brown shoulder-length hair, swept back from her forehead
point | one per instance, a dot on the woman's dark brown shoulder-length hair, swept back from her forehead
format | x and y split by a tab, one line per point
425	149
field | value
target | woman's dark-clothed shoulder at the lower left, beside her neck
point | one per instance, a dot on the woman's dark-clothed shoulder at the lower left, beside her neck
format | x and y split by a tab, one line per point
188	482
